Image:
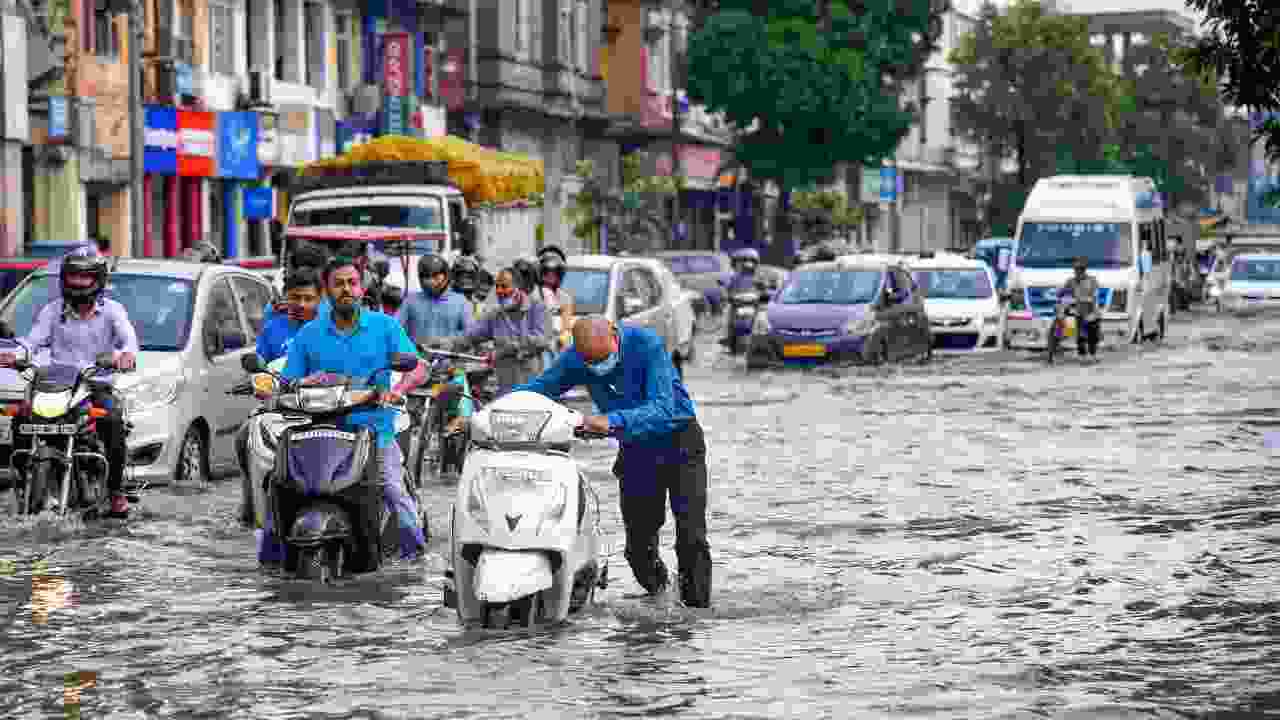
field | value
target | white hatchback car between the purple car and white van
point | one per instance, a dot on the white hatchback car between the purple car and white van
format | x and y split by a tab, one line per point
961	299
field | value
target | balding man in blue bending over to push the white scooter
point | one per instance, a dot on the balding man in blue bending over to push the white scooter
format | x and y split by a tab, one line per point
630	377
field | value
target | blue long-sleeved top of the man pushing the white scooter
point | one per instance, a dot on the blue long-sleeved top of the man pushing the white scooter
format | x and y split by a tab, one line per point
643	397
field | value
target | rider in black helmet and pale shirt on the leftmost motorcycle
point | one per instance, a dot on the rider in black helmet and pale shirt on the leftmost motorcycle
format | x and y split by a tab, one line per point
74	331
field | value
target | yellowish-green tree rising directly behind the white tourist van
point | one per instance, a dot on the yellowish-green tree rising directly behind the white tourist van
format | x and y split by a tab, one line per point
1028	85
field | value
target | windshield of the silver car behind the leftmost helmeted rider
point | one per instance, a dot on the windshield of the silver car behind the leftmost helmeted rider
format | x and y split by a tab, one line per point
161	308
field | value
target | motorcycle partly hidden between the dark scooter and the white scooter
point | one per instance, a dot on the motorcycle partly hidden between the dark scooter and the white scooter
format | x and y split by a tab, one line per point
431	443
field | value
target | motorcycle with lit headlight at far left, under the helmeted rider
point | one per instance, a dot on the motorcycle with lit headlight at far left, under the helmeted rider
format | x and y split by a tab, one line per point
66	468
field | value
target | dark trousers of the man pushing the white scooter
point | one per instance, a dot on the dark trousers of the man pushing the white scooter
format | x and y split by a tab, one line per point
650	480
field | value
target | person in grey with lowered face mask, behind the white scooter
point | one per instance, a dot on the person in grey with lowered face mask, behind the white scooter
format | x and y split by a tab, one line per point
518	329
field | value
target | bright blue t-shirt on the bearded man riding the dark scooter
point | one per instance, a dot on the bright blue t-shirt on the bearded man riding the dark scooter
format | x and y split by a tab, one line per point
321	348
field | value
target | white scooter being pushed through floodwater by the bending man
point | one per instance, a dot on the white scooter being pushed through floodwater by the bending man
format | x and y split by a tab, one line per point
527	525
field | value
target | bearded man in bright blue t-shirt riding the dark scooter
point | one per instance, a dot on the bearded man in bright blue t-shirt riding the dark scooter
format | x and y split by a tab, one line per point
355	341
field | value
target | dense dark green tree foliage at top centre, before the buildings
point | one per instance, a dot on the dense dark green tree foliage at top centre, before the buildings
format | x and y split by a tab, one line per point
813	84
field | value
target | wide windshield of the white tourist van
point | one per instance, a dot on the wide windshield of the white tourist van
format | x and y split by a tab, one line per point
1057	245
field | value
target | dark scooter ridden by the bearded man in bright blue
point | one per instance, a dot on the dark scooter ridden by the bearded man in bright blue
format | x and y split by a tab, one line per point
324	491
